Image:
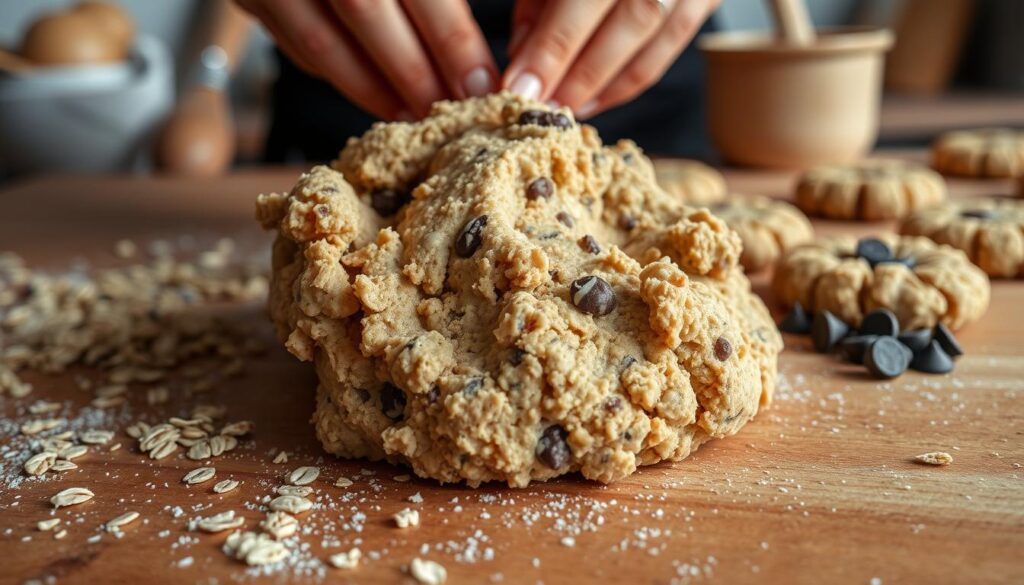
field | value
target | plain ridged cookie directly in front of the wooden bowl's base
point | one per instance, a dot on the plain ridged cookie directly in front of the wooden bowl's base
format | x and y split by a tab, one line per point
871	190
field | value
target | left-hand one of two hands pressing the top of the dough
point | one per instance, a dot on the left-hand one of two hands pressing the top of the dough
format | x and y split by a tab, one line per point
393	59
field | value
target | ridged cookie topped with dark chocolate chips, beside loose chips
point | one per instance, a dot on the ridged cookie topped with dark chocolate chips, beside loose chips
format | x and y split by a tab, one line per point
922	282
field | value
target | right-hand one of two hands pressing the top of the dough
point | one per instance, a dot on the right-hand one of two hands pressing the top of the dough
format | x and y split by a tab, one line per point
593	55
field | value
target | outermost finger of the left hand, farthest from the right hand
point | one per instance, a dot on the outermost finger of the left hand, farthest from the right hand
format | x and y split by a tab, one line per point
318	45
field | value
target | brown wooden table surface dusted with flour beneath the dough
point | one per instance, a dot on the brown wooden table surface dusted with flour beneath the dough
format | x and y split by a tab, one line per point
820	489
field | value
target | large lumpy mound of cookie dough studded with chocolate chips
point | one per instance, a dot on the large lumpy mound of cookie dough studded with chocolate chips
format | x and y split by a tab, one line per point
446	337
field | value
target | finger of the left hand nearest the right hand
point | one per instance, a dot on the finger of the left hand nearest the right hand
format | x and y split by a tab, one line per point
457	45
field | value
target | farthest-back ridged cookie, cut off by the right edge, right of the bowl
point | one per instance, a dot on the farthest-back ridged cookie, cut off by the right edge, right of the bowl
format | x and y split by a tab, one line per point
995	153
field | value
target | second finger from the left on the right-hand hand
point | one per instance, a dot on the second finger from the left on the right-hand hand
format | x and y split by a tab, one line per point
630	26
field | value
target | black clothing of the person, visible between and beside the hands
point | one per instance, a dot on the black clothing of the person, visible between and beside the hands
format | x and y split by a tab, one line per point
312	120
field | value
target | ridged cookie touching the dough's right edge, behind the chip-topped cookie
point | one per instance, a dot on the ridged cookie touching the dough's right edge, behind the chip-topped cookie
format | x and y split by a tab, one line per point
767	227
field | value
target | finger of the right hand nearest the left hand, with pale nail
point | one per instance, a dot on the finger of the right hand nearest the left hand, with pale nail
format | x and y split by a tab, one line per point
562	31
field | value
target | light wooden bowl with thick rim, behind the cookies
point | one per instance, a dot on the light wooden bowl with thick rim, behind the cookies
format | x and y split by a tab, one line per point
779	106
